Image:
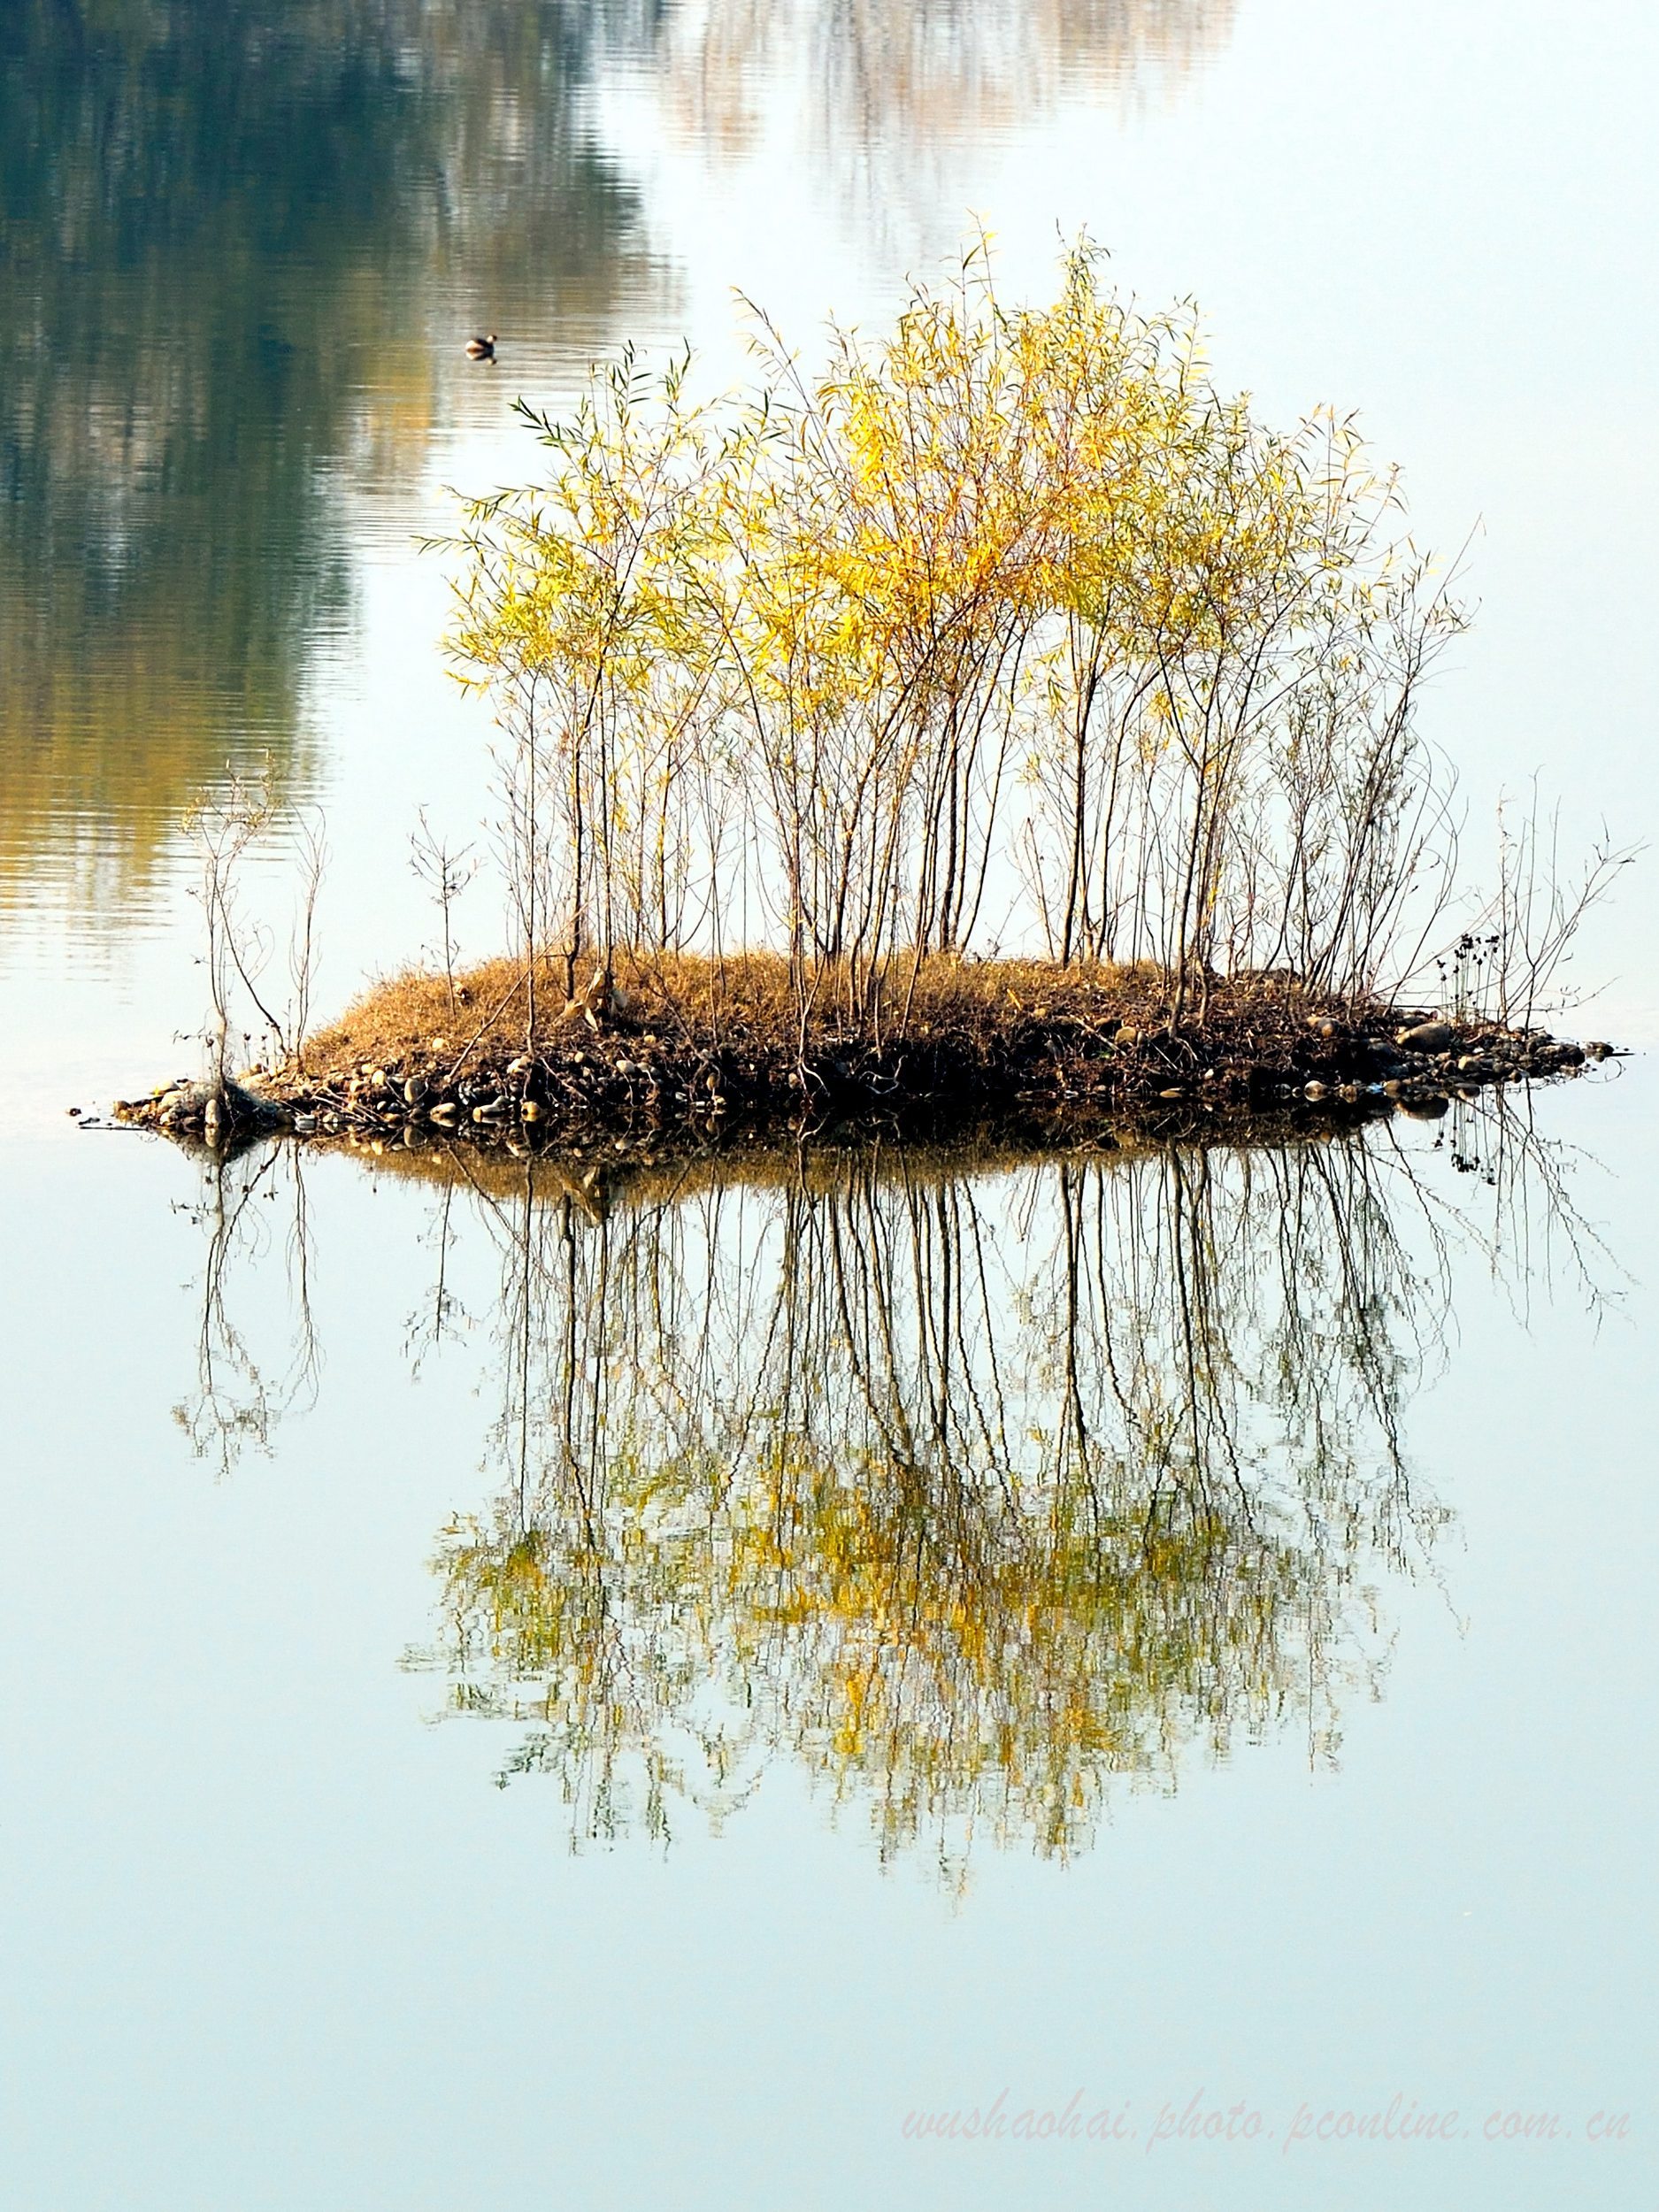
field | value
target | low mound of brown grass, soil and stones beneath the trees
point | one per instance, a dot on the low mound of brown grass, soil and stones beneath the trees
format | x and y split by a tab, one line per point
691	1054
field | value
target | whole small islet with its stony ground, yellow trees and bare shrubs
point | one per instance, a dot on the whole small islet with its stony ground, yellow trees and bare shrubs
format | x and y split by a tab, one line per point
997	729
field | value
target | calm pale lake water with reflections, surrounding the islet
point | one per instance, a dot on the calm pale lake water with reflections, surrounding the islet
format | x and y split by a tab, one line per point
634	1689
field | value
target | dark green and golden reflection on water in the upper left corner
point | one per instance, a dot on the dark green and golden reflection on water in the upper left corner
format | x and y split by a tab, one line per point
236	251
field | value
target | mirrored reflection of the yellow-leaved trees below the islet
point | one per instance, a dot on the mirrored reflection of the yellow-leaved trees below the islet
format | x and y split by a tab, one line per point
968	1494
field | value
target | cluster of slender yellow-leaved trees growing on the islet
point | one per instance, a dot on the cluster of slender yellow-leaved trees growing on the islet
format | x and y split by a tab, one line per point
1003	614
